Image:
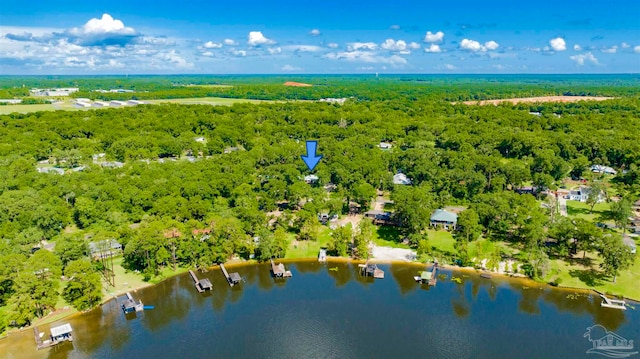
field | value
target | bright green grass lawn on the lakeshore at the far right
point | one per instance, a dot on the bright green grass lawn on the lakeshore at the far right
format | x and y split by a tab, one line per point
587	275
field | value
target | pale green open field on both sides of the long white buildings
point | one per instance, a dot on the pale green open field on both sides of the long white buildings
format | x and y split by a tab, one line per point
68	105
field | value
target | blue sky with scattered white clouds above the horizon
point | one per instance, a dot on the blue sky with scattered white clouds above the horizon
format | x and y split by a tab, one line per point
319	37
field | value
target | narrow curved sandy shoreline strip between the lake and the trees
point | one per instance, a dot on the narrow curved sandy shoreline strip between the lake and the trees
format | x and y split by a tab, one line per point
242	263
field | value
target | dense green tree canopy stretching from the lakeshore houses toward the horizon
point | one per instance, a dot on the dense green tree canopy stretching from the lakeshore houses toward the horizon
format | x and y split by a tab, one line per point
210	176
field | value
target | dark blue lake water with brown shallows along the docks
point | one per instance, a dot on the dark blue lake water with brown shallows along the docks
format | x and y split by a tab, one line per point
322	313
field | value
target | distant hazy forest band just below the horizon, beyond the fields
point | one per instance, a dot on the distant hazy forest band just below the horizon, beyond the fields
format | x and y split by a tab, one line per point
364	87
